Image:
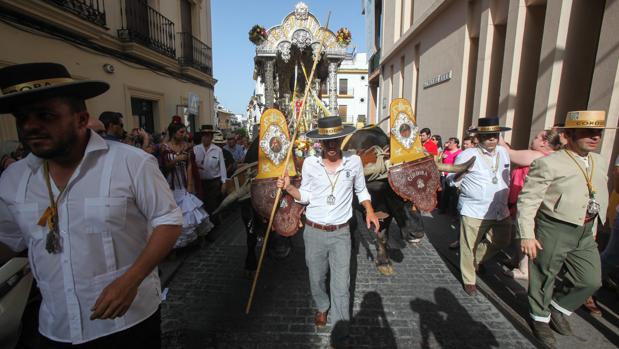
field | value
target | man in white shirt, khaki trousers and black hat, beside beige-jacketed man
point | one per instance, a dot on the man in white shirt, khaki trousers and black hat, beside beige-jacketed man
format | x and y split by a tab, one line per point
485	226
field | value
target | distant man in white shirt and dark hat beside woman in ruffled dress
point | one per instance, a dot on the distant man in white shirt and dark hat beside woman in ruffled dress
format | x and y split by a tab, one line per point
212	168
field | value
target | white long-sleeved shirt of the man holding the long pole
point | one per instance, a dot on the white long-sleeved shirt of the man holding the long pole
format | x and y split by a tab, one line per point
316	187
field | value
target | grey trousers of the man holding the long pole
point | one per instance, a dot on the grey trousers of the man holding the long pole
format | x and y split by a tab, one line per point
324	251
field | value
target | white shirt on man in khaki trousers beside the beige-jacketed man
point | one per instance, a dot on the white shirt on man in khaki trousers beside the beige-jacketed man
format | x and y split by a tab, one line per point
479	197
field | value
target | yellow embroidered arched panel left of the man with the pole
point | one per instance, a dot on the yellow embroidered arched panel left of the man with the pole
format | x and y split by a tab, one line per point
273	145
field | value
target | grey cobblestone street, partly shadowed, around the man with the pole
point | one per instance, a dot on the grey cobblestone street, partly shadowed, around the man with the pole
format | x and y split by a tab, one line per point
421	306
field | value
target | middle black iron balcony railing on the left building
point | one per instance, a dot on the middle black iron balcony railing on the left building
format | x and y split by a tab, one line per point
145	25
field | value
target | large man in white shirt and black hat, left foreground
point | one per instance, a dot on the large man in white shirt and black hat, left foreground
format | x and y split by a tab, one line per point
83	208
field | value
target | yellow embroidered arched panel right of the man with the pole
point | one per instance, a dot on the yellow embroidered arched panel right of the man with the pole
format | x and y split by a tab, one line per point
405	144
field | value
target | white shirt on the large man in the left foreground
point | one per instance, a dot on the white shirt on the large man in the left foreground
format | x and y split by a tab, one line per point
111	202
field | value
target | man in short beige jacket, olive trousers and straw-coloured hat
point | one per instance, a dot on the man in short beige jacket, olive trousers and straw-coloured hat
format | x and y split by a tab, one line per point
564	195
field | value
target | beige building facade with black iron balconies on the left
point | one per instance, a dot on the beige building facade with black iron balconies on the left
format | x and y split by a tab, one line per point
156	55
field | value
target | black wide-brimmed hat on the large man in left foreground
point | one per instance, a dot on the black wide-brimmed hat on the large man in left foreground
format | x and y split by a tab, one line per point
25	83
